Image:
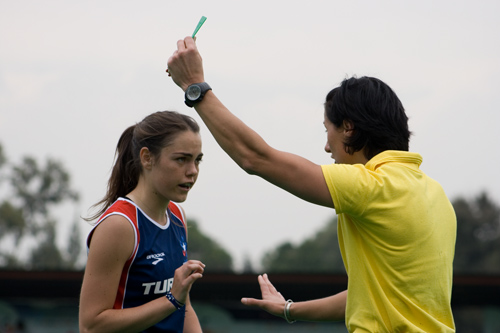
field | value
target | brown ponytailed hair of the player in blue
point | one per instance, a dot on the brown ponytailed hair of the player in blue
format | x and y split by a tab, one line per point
154	132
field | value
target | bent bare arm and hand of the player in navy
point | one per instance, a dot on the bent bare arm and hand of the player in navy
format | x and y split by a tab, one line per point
112	244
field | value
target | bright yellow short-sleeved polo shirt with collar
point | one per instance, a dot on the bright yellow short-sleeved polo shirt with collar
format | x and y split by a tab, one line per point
397	232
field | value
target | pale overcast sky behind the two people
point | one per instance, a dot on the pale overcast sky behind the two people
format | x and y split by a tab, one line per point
75	74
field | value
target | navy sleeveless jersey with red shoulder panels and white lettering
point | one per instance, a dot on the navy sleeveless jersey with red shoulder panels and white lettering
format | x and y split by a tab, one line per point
158	251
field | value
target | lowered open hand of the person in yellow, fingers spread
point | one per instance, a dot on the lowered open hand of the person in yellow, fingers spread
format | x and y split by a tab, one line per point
272	301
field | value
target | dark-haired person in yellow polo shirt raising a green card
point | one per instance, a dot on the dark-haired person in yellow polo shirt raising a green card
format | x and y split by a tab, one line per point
396	227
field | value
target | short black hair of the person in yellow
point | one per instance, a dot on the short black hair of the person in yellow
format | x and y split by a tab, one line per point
376	113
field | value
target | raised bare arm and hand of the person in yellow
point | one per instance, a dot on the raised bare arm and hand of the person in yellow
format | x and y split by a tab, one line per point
292	173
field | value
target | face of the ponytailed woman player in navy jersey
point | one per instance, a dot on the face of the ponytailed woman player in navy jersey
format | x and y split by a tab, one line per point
175	171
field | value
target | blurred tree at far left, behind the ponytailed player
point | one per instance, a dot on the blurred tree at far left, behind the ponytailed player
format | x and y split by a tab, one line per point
30	192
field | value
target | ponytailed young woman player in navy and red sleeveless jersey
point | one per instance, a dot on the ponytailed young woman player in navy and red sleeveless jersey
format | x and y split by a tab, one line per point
138	277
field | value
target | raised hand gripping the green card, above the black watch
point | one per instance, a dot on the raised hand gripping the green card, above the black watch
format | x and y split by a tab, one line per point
185	66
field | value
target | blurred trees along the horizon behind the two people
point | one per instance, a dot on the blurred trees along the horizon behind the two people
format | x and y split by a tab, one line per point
30	191
